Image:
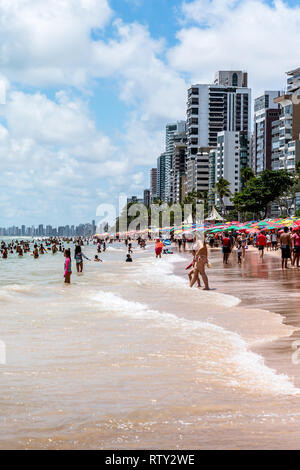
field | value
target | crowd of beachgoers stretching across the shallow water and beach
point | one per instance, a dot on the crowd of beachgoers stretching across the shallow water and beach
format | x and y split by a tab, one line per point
287	240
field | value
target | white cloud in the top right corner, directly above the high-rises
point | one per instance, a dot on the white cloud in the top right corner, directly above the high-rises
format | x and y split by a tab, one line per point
248	34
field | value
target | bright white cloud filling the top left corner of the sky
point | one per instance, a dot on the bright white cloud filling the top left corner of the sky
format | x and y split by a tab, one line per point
49	42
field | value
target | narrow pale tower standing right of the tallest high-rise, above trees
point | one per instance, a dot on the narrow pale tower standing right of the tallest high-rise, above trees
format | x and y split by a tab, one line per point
265	113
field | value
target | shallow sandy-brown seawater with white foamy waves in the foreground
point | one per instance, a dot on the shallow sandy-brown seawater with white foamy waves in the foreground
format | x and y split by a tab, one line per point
129	357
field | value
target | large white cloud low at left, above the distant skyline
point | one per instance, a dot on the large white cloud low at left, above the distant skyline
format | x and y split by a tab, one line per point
52	155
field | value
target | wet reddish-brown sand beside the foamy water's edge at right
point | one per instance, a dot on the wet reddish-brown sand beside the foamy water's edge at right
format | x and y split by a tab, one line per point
263	287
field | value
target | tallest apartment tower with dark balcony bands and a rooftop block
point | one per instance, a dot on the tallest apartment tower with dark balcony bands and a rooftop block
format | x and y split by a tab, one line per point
213	108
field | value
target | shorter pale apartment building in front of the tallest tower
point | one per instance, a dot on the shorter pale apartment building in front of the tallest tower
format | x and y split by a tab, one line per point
229	159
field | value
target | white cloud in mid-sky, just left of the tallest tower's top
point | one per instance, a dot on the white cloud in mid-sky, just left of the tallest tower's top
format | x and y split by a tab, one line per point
145	80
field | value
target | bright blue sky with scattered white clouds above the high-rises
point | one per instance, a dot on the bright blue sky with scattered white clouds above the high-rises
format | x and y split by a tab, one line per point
91	84
